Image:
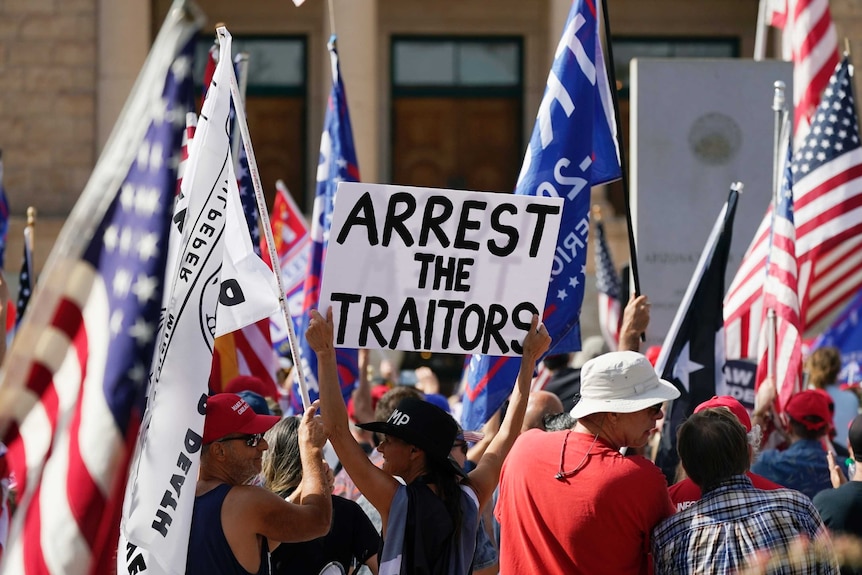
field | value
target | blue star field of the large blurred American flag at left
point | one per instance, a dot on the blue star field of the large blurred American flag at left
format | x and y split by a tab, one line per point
129	249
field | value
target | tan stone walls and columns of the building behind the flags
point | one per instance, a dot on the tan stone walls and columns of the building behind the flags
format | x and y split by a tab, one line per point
66	68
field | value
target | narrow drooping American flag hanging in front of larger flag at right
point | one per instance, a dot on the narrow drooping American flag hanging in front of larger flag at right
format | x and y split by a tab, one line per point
780	295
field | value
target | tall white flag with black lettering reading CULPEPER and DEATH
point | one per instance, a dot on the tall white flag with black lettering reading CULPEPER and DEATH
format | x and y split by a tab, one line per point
160	494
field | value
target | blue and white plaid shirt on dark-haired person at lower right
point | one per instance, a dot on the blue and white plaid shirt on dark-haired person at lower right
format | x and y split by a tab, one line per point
723	531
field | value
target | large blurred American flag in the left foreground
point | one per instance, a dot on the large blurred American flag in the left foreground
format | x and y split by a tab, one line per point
74	384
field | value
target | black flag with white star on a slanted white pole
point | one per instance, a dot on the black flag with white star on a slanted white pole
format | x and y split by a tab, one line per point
692	356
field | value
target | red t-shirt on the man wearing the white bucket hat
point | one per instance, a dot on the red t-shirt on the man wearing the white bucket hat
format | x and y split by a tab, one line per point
597	521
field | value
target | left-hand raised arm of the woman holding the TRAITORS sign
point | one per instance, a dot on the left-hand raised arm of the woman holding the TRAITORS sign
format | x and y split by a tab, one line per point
375	484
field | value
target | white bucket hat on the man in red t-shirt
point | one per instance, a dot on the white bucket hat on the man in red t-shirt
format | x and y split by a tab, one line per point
620	382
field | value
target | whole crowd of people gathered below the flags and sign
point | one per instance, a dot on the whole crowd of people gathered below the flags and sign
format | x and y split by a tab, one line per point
553	483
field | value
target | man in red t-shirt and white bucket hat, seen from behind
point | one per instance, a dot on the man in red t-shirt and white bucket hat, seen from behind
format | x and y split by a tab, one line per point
570	501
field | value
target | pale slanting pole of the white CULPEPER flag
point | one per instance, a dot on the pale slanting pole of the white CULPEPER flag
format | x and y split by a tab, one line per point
266	227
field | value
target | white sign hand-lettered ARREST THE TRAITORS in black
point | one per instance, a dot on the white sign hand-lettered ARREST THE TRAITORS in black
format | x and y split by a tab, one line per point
425	269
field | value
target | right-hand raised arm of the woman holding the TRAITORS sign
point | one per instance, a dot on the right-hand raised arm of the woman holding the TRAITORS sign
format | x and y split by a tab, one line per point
484	478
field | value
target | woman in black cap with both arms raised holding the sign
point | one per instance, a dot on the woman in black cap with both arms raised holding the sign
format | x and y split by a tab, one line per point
429	525
